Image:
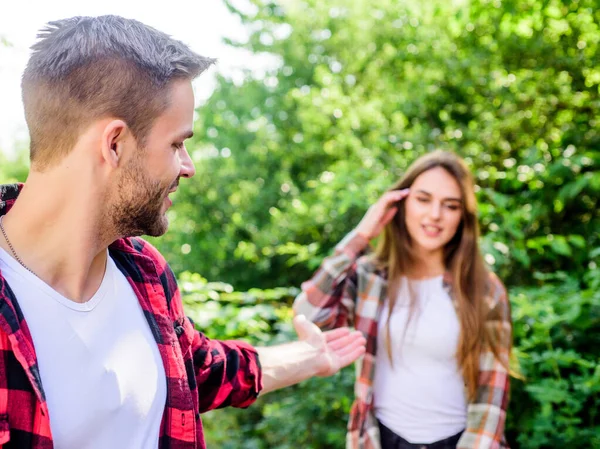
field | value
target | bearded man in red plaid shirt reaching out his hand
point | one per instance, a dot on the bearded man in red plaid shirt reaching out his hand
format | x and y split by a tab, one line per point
95	349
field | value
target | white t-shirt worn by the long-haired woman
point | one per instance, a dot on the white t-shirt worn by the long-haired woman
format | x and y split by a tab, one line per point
421	397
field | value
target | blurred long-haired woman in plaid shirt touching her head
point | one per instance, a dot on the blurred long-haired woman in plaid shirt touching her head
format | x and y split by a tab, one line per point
437	322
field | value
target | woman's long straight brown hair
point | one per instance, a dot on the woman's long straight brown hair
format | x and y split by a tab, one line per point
462	258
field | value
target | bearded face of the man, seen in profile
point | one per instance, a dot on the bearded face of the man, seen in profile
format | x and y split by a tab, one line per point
153	172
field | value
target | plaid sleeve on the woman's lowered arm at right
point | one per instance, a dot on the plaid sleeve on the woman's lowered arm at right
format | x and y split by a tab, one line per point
486	415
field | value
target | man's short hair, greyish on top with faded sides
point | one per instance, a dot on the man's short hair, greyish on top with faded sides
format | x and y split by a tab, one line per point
87	68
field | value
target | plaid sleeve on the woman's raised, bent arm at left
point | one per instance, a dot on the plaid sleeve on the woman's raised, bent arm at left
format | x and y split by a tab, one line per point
327	299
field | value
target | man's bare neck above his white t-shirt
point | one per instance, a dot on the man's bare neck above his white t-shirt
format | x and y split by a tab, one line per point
62	242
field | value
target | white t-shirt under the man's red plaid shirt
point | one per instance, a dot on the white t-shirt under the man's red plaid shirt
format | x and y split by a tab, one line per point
100	366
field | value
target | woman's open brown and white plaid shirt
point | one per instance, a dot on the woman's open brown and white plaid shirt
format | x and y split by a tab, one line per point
348	290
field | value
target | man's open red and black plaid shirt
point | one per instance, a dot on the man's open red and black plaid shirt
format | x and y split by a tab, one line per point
202	374
